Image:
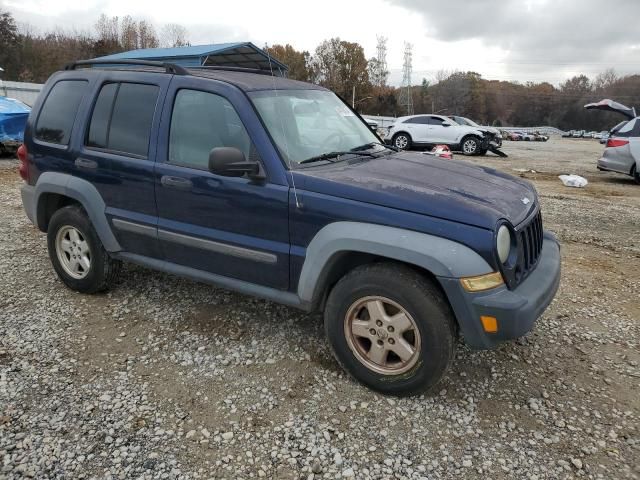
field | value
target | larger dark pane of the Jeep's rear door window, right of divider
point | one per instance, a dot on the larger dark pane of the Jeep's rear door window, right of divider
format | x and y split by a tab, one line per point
131	119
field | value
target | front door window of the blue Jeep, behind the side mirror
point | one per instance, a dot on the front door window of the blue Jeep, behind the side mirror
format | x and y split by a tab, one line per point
200	122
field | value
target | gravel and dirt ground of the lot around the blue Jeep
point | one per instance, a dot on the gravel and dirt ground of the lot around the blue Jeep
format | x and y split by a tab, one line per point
166	378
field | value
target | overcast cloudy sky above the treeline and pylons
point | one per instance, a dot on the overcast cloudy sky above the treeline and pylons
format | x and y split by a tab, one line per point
534	40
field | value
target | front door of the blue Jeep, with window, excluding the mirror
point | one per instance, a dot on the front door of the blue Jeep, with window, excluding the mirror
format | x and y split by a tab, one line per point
229	226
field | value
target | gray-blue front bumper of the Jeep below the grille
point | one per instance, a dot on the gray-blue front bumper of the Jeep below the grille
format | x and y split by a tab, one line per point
515	310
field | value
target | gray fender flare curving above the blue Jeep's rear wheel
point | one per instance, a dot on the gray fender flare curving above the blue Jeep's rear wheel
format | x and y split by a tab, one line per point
83	192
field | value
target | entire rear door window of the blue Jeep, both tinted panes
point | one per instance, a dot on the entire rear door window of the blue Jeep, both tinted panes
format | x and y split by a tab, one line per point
122	117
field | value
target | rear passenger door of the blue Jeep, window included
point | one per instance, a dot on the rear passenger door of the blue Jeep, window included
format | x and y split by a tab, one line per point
118	153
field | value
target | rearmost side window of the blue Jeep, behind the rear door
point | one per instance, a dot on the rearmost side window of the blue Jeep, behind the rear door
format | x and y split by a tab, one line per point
58	113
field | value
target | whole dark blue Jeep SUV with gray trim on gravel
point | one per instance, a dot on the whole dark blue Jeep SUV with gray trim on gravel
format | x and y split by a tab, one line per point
278	189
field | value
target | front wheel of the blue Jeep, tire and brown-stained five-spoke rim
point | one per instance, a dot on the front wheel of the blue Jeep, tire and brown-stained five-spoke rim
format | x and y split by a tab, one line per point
399	289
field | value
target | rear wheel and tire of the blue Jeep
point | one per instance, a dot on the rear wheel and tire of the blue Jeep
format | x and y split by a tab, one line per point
91	269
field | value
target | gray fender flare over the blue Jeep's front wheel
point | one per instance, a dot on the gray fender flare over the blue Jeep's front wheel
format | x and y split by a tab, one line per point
440	256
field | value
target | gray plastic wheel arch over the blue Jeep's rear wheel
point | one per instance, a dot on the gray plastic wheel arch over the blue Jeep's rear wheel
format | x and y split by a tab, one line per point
55	190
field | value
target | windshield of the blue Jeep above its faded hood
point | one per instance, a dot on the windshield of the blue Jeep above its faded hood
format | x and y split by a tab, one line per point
308	123
